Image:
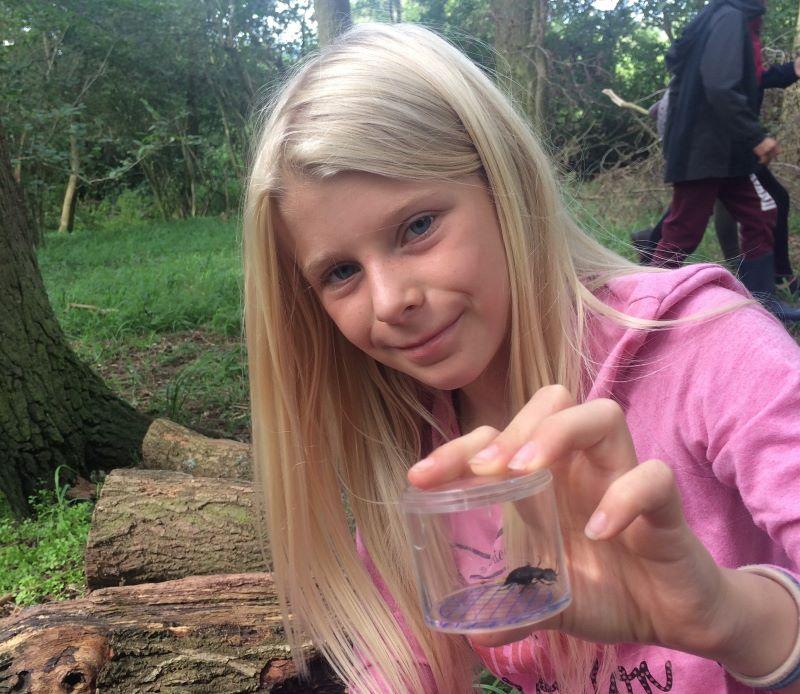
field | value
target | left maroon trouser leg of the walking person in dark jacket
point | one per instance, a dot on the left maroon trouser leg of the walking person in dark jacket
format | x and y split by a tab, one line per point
682	230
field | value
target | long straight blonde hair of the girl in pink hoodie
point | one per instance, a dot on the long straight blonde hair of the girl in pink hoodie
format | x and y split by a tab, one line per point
396	101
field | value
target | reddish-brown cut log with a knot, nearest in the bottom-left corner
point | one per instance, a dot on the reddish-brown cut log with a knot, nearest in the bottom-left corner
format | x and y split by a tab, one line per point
212	634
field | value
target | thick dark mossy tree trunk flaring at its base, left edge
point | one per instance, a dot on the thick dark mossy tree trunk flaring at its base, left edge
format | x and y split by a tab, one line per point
53	409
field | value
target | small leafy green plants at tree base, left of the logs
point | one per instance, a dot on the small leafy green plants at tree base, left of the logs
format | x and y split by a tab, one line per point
41	558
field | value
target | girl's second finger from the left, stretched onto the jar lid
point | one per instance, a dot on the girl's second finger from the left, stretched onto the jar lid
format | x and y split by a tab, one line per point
514	443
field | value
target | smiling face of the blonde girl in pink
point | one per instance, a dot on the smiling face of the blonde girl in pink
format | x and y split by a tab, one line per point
412	273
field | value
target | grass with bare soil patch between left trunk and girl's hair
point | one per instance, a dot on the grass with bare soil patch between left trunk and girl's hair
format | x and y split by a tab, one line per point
156	309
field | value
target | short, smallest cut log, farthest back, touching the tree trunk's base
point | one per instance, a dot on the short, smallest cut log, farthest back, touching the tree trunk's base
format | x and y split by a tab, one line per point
169	446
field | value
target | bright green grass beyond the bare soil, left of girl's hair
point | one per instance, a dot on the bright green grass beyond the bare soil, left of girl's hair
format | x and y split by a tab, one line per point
140	278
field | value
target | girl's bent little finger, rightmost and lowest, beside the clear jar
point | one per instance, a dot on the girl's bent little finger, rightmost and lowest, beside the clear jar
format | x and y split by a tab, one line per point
648	491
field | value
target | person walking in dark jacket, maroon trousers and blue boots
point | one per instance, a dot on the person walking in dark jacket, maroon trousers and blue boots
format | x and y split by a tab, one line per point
713	142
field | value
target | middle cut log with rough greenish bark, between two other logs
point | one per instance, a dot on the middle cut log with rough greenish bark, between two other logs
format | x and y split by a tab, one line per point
158	525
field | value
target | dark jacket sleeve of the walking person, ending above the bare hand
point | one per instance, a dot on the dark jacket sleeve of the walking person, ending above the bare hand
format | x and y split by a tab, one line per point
722	73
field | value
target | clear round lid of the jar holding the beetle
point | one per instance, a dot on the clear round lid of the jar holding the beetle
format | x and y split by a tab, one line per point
472	492
